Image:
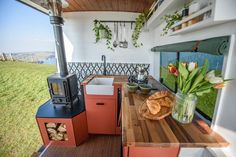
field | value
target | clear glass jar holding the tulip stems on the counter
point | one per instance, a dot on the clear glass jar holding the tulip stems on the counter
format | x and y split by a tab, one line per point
183	110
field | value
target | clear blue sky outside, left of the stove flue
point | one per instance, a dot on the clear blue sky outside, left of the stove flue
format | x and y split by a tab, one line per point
24	29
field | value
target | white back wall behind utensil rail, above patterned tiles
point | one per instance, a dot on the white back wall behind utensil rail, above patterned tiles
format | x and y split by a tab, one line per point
80	39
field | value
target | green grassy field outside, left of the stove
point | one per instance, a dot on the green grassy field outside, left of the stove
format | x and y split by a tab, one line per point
23	88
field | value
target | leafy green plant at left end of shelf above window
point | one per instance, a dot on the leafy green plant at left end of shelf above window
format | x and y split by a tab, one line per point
170	21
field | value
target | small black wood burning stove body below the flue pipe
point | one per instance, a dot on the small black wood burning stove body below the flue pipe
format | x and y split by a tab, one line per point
63	89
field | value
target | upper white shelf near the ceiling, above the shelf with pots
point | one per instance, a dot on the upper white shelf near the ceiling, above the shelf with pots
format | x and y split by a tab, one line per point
166	7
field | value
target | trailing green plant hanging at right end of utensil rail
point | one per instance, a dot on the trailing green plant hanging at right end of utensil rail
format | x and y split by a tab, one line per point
139	23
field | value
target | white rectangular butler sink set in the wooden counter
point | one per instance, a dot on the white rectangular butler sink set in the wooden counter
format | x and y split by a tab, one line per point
100	86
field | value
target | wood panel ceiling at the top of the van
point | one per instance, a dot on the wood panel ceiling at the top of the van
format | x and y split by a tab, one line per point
108	5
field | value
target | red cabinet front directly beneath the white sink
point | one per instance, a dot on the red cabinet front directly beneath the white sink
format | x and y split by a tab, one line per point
103	112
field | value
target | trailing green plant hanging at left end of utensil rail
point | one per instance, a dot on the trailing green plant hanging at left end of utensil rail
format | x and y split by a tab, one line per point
102	31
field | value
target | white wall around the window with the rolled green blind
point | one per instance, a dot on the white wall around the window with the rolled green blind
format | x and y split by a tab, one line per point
224	119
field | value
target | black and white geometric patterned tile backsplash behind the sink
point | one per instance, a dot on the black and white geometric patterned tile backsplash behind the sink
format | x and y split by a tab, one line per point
84	69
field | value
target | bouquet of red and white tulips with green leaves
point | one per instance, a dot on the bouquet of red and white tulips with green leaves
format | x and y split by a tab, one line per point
192	79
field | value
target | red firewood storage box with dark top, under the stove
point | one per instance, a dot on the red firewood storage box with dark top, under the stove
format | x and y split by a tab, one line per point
60	126
